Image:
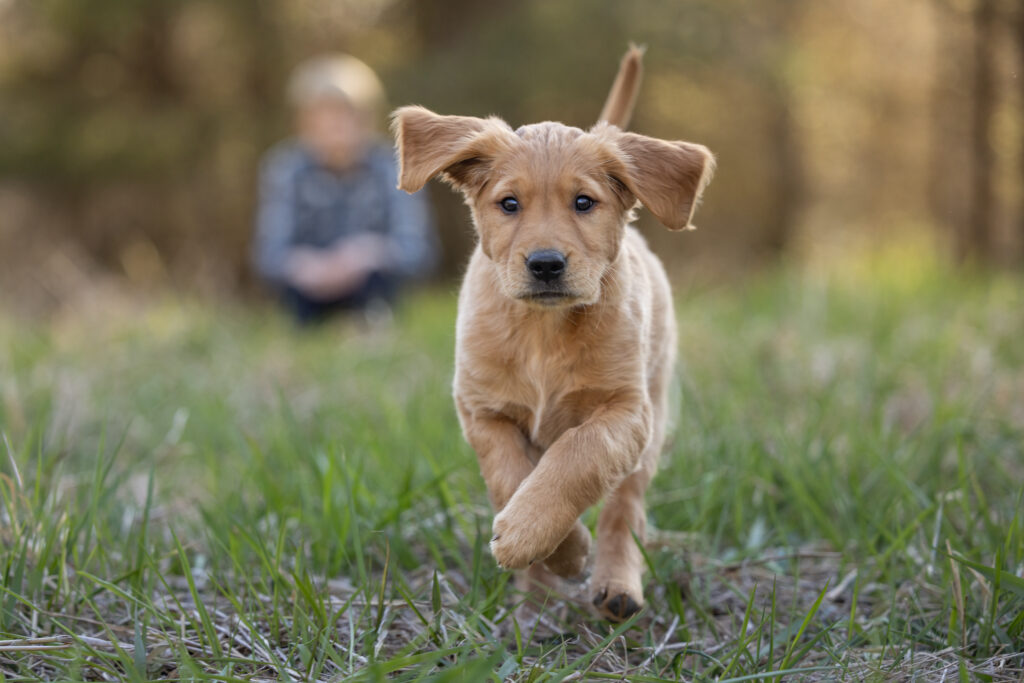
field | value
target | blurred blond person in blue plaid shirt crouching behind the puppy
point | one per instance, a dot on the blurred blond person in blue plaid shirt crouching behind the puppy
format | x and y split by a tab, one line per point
333	233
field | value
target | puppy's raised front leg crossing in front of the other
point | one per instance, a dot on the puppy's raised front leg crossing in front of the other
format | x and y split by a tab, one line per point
575	474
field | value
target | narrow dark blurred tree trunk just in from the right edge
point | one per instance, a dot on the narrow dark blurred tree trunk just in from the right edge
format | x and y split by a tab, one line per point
976	242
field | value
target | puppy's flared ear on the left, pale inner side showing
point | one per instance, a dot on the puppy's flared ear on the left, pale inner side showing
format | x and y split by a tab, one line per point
457	148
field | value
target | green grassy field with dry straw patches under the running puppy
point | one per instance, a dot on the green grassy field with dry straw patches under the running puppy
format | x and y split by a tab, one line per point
193	491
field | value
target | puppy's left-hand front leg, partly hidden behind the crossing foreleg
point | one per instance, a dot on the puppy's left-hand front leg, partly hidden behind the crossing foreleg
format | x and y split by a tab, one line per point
504	455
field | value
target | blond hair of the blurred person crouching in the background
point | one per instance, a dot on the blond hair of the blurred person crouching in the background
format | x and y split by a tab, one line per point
337	76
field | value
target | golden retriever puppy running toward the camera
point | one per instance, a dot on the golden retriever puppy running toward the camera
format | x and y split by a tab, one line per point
566	333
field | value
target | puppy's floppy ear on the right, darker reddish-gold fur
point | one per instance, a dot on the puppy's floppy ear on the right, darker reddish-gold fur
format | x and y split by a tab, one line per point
667	178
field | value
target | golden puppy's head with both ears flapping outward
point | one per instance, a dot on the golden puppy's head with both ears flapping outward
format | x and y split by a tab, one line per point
550	202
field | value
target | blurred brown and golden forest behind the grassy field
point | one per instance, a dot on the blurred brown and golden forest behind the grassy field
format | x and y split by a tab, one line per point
132	131
